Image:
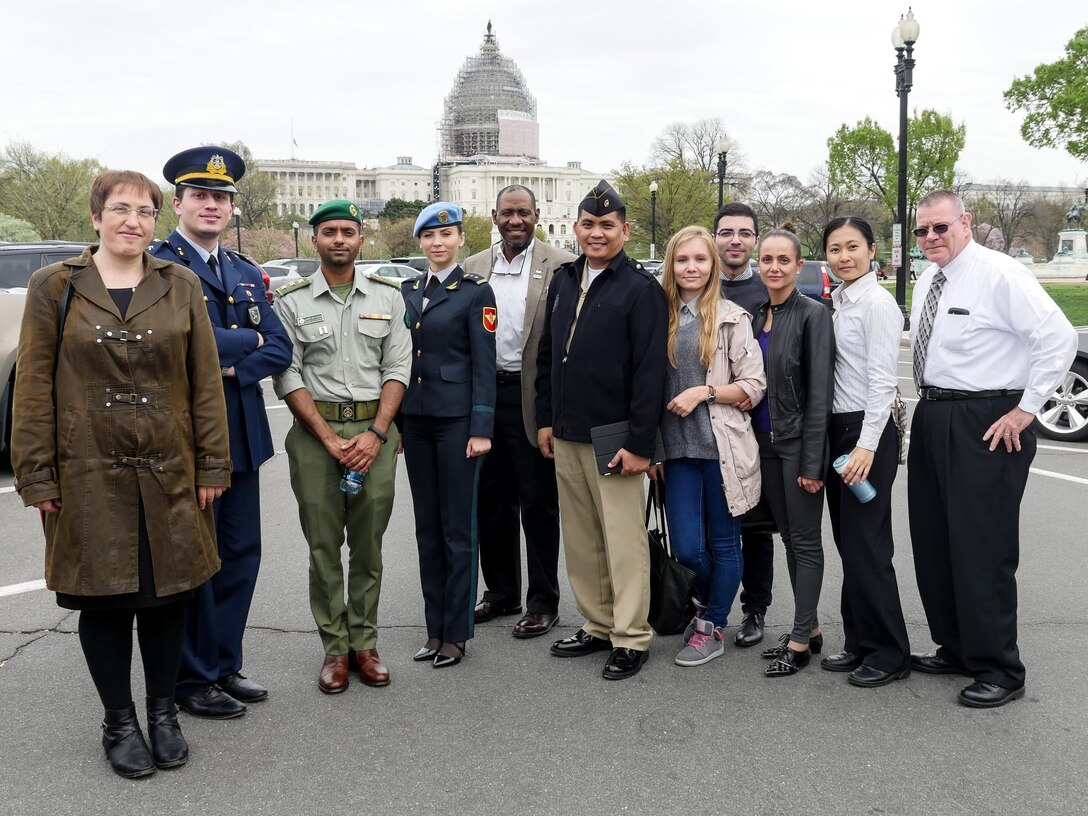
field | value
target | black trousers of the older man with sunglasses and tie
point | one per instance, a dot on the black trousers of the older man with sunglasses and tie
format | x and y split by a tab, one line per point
965	510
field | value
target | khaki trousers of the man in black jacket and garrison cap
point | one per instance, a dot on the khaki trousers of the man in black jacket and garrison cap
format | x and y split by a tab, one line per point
604	538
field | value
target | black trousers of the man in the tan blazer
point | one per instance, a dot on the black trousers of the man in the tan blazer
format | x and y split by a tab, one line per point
518	489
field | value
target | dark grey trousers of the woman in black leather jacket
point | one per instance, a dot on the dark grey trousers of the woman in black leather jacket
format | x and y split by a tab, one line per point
799	516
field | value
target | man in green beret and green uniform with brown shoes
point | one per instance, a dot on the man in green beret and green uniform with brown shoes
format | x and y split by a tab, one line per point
349	372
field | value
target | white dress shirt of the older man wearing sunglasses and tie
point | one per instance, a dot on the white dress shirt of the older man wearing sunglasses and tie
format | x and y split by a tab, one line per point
995	328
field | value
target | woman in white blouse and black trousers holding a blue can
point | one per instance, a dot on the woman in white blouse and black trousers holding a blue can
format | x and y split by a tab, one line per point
869	326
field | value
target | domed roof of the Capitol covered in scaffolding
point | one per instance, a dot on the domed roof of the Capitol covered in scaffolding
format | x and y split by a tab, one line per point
487	84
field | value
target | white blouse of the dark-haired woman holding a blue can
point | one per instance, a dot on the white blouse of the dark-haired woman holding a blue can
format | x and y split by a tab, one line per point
868	329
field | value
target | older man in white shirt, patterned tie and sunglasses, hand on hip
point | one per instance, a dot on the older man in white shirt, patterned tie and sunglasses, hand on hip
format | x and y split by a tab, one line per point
991	348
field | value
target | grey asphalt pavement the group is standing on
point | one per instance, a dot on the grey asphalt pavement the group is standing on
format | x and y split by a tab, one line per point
513	731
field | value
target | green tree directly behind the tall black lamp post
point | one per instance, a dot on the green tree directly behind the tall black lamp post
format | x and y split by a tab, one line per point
863	162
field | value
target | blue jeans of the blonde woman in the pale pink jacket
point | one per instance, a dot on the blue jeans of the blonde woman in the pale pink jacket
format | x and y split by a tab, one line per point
706	538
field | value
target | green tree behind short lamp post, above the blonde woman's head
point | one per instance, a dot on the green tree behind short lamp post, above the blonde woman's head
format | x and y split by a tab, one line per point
685	196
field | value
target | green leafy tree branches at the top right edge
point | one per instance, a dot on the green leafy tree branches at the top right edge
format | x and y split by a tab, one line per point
1056	101
